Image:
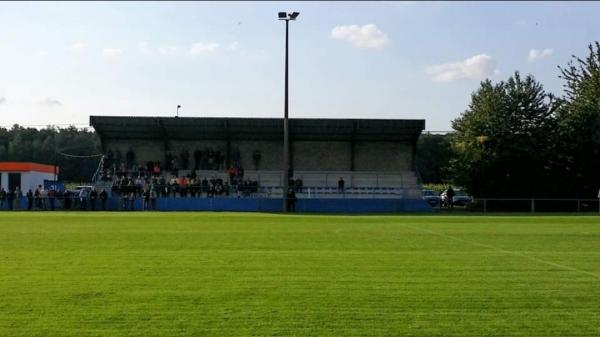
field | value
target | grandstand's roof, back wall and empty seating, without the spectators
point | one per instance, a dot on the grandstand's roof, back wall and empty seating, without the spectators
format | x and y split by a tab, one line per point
375	157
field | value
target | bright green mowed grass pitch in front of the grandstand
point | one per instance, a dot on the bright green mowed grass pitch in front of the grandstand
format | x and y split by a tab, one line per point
248	274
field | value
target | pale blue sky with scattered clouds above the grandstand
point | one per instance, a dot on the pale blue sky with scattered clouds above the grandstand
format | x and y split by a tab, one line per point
63	61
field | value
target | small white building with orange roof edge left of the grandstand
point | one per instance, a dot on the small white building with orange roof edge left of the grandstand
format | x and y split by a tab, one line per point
25	175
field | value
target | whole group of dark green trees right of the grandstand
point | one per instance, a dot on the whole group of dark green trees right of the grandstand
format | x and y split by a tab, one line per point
517	140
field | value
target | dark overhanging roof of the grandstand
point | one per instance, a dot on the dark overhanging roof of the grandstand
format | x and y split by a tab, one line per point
200	128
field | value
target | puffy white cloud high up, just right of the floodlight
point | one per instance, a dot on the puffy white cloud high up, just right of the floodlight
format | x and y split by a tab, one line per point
367	36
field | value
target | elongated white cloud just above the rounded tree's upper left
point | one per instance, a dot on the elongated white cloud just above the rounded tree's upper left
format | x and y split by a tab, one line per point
475	67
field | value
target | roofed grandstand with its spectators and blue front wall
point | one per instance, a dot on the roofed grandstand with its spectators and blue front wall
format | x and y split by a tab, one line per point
236	163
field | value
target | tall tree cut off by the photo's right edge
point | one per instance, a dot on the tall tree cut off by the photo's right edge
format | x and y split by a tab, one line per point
579	124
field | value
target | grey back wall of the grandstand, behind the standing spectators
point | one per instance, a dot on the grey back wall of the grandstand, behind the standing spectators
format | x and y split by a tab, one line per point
306	155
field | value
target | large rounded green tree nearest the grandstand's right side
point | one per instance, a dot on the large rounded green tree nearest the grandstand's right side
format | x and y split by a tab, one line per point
501	146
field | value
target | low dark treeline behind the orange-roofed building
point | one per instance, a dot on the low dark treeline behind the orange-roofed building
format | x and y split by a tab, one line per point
53	145
